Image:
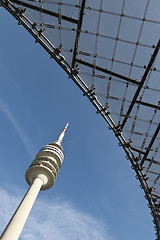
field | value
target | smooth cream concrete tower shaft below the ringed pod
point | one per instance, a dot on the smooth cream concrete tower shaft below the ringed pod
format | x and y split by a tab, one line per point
15	226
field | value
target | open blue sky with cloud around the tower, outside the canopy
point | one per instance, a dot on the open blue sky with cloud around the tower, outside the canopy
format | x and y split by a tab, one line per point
96	195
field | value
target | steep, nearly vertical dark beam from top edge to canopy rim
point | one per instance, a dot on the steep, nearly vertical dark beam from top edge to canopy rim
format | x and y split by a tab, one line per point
78	32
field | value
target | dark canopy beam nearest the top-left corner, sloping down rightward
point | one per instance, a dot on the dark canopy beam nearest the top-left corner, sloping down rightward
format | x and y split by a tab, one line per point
45	11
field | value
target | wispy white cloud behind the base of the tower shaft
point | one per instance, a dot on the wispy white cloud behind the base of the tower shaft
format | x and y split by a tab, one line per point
53	220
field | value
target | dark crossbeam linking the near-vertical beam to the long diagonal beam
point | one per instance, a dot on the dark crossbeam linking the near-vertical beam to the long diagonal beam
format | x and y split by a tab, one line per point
107	71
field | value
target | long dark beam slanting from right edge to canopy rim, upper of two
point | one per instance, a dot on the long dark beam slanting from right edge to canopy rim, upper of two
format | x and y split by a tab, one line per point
141	83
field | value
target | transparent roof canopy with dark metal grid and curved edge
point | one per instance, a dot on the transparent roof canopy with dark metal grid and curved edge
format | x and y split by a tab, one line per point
110	49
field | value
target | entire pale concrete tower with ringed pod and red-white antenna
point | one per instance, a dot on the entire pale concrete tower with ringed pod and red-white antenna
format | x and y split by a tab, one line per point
40	175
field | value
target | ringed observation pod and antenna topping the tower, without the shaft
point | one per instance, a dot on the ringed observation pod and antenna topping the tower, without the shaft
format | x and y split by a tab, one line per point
47	163
